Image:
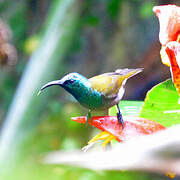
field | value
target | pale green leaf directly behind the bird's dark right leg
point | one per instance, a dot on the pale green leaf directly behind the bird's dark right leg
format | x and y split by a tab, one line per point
128	108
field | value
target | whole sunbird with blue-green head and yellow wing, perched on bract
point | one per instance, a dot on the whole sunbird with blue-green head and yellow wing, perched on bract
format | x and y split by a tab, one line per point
99	92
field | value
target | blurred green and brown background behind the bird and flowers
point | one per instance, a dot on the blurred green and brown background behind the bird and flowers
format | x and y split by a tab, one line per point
44	40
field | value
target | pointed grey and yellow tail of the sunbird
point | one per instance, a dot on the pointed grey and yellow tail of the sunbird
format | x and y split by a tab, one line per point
127	73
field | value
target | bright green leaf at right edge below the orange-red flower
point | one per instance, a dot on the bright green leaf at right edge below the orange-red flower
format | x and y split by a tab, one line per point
161	104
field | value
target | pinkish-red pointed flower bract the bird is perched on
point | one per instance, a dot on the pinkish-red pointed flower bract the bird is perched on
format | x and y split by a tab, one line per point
133	126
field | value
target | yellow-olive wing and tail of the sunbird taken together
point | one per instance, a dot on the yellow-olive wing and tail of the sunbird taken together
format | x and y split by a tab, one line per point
109	84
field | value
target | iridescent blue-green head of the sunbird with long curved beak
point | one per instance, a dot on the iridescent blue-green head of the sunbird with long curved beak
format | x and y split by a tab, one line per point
73	83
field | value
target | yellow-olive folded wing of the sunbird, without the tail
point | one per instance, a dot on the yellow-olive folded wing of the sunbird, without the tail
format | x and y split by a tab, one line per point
107	84
